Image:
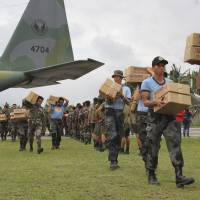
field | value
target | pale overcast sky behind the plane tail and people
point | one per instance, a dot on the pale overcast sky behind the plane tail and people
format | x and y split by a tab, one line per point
119	33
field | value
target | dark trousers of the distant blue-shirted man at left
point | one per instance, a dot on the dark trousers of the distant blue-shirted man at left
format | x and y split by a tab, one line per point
56	132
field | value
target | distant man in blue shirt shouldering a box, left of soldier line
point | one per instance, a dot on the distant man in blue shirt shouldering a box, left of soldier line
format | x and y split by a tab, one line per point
57	112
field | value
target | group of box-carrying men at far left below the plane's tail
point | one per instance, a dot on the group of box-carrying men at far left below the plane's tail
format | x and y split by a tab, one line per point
35	124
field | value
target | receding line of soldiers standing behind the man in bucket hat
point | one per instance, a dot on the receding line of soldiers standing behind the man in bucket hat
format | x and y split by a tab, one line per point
86	123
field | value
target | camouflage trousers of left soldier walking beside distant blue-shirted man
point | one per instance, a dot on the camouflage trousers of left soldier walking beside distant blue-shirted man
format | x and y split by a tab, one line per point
35	130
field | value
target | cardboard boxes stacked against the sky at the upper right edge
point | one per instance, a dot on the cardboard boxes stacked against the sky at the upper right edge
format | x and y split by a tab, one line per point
192	50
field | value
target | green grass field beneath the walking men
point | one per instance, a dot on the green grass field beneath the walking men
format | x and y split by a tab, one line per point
78	172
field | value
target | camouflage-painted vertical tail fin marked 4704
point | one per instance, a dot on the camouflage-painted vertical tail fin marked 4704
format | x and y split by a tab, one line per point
40	39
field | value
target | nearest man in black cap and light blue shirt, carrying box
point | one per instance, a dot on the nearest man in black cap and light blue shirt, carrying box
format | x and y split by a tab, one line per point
161	124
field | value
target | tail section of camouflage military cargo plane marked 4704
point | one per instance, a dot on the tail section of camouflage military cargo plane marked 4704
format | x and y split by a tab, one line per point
40	51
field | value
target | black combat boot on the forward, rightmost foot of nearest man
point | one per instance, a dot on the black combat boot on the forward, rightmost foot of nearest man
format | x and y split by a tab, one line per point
182	180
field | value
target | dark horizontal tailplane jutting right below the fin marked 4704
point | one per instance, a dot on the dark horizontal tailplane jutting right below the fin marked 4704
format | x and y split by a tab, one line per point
50	75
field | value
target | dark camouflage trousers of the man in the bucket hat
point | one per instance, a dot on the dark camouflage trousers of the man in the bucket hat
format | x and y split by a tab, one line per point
114	120
